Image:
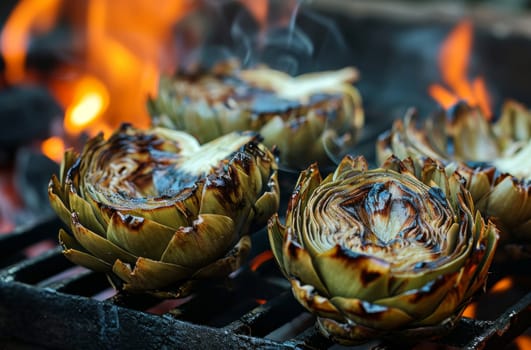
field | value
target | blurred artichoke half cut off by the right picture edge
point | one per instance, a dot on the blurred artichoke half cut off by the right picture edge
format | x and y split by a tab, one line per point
494	157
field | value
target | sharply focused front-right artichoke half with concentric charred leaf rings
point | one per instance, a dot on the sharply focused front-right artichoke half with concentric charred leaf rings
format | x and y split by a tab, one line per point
395	252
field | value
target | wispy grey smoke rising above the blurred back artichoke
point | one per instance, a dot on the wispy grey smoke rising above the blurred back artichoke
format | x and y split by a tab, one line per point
289	37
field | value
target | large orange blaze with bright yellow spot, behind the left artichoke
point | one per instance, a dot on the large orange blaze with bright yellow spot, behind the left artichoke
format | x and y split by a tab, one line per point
120	47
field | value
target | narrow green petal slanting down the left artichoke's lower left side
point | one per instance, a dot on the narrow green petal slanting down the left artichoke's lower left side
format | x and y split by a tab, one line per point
97	245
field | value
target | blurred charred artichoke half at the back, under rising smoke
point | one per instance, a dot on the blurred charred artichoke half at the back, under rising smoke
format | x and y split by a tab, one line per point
313	117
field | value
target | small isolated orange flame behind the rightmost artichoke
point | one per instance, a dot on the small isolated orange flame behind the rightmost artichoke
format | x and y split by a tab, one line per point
453	61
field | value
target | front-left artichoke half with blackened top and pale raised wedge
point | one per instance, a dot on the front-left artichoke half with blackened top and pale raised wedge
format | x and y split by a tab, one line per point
155	210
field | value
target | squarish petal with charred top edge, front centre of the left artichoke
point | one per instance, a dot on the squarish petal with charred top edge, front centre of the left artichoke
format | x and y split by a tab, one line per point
139	236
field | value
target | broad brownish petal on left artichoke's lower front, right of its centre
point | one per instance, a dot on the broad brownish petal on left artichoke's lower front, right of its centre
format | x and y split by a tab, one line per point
209	238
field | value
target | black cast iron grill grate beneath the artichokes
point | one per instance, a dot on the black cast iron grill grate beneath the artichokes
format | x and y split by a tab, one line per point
47	302
